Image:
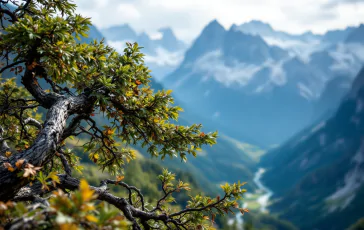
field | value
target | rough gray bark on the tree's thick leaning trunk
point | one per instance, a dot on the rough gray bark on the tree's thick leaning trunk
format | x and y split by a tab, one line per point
45	145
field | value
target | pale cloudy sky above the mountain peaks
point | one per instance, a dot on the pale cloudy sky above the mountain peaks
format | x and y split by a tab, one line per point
188	17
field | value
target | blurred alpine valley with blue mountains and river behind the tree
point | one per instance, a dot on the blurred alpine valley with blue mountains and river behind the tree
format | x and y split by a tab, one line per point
289	109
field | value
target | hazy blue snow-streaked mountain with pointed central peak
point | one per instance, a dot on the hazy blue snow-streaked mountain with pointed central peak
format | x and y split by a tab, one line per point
265	91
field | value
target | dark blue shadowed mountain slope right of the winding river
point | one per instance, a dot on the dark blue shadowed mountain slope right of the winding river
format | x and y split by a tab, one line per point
317	176
